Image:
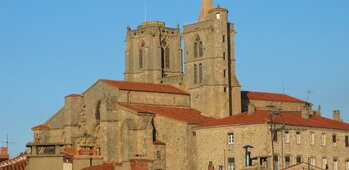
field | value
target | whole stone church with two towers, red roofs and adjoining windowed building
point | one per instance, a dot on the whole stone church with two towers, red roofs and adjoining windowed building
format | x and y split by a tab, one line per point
162	118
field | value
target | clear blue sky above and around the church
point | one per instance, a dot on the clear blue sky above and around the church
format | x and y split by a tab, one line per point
49	49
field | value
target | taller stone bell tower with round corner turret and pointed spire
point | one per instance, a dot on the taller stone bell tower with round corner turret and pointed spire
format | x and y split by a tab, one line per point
210	63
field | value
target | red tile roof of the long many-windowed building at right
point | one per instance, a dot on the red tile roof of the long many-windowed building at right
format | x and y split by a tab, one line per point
288	118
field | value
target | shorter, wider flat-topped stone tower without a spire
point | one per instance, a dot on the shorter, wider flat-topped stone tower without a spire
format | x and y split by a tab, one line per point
153	52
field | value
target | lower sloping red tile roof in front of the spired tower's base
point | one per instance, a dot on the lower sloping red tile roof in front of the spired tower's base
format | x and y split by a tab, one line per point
185	114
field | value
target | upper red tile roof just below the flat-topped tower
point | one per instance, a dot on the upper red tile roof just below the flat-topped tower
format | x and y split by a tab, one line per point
147	87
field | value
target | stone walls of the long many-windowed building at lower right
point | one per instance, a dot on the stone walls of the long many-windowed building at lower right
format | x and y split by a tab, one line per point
259	136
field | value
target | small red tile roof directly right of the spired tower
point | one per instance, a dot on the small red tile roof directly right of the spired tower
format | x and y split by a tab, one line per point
269	96
